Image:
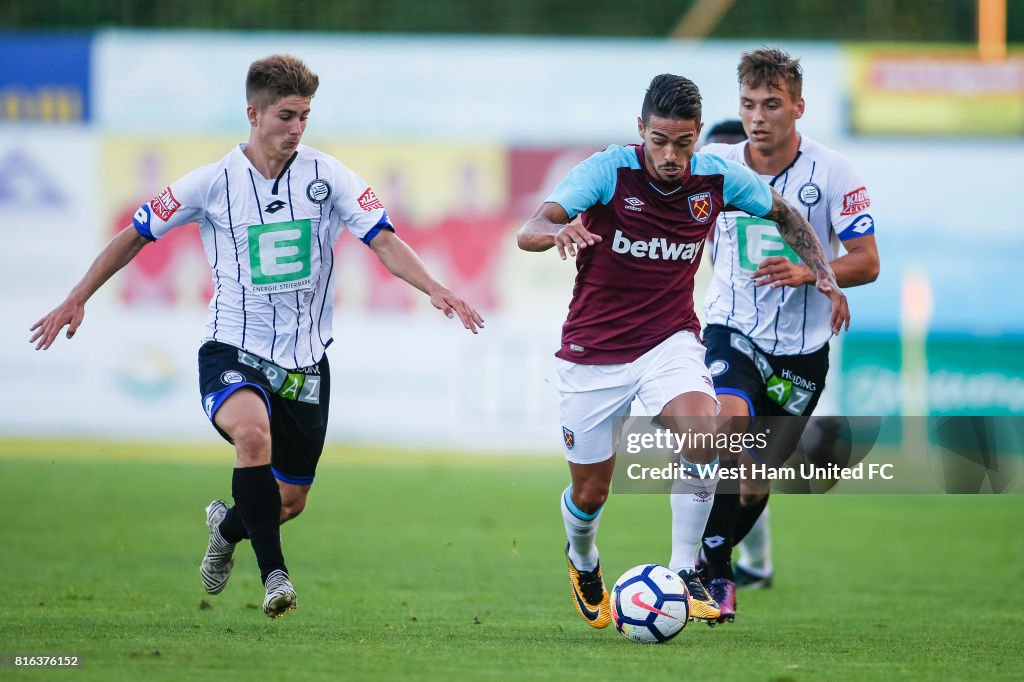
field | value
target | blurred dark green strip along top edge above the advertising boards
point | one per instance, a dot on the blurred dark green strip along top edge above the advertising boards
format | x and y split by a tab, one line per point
900	21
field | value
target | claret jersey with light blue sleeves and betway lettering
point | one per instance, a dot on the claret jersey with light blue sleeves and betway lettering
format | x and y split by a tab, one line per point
635	289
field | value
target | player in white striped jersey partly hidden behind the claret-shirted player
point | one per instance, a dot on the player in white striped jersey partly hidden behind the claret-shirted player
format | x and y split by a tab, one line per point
769	329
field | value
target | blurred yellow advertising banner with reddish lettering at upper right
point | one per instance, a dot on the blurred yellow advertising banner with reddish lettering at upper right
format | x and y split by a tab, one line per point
910	91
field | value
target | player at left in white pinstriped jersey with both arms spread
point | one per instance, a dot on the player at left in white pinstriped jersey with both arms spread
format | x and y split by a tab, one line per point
270	214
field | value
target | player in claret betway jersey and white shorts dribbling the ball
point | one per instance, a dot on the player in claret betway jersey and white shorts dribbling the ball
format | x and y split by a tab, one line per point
646	211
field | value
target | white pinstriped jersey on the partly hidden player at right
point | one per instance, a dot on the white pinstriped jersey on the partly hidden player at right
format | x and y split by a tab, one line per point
787	321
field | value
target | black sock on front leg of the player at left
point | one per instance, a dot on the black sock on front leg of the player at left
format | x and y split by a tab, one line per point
259	502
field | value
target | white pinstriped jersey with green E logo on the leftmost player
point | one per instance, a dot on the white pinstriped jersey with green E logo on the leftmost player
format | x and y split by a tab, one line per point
270	244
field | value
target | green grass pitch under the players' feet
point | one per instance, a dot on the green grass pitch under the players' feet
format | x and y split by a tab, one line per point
419	566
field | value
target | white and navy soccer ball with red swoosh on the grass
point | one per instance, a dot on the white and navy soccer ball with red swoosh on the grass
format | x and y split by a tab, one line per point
650	605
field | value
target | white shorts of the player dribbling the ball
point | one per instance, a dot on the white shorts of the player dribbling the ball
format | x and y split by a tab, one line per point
594	400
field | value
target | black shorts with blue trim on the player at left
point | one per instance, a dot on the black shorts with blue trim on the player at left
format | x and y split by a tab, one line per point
297	402
